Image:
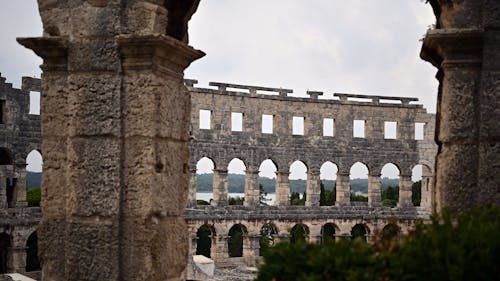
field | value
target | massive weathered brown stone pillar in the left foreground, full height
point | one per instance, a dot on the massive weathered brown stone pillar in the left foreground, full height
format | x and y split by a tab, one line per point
115	117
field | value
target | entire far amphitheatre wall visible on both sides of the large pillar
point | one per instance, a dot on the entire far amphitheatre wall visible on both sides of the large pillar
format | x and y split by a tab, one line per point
327	136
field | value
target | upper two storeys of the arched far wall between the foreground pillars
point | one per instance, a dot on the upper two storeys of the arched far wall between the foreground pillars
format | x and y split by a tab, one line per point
221	144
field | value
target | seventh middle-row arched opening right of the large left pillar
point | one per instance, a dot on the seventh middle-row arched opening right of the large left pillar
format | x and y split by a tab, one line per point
390	185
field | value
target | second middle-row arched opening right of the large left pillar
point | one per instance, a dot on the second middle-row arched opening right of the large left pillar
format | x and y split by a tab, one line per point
236	181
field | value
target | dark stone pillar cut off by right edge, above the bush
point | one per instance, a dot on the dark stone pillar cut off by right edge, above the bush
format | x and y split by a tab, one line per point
464	47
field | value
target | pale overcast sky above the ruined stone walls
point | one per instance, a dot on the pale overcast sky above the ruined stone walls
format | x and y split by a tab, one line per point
357	46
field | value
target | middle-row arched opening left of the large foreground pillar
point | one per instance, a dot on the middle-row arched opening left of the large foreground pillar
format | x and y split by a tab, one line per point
34	165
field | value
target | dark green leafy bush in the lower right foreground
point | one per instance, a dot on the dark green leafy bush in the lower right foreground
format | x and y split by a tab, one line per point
454	247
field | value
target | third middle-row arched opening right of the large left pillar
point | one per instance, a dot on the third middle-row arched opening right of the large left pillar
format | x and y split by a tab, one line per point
267	182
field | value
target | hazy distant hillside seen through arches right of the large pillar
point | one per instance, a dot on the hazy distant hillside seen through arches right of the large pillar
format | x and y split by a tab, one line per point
237	184
